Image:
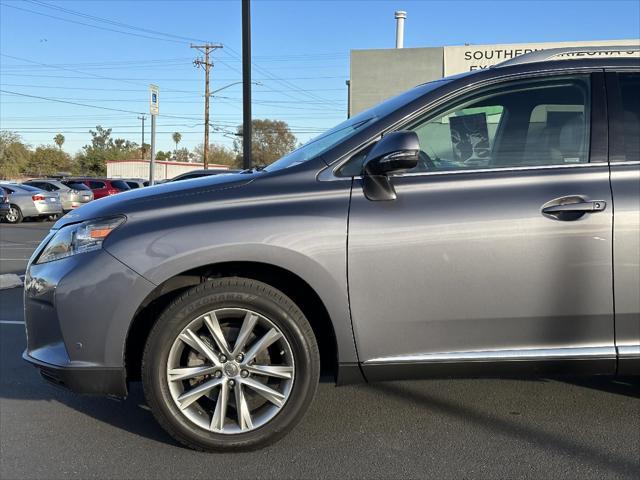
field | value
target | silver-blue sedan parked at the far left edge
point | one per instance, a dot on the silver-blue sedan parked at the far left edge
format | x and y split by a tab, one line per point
26	201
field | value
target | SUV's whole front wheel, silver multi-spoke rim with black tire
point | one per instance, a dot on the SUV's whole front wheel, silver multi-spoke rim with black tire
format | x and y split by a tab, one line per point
232	364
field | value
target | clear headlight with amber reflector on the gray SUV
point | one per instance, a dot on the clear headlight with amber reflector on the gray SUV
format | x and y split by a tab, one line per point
79	238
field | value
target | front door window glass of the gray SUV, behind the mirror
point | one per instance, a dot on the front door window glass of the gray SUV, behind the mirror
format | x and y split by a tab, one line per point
532	123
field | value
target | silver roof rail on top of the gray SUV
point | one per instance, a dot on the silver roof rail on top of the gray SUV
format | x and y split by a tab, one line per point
568	53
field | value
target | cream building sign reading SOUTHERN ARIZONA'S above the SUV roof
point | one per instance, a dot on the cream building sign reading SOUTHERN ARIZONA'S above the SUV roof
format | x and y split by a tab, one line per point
465	58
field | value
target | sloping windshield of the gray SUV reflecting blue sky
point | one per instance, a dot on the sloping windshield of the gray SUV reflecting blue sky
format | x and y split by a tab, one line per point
350	127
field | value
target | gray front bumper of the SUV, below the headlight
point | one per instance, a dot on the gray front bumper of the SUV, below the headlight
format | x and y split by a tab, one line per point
78	311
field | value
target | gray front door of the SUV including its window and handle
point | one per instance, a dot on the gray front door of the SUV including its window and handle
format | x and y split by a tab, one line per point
498	246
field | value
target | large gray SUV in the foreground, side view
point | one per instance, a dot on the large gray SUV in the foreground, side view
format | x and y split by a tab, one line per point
483	224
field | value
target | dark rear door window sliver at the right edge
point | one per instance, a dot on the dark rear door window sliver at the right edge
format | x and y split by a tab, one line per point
630	97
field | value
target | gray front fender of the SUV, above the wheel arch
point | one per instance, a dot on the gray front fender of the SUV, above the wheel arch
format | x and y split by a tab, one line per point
302	232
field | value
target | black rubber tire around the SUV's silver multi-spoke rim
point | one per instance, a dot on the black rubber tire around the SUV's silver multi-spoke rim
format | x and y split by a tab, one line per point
231	292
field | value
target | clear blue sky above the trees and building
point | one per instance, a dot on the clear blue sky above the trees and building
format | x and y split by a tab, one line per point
69	50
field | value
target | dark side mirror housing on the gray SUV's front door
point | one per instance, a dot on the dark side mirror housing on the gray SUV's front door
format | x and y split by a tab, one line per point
396	151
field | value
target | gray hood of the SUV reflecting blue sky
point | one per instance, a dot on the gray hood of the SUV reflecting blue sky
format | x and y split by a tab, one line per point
157	197
